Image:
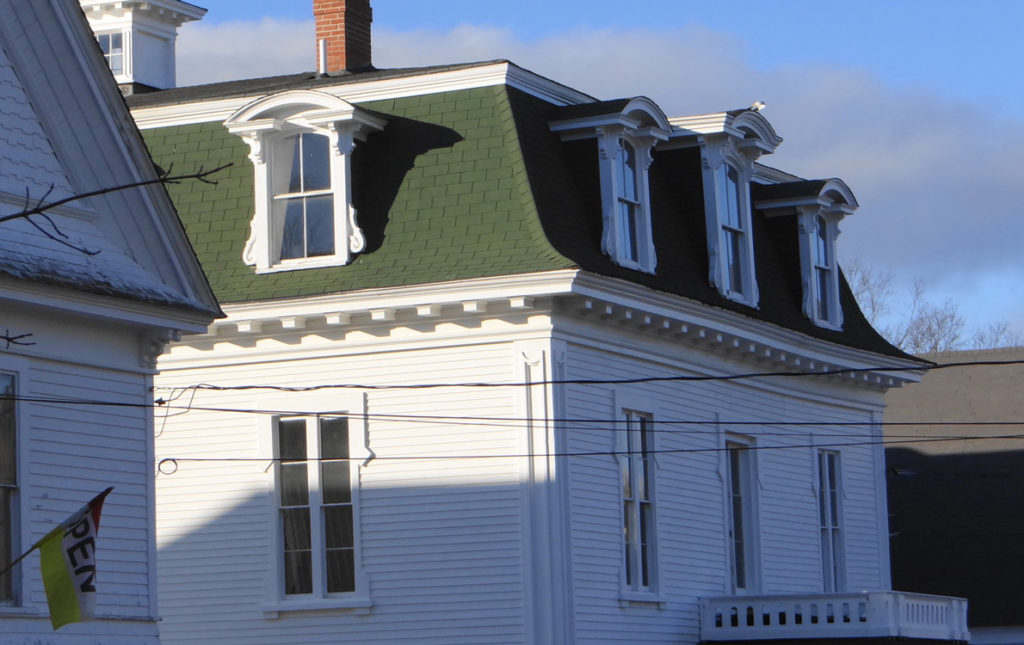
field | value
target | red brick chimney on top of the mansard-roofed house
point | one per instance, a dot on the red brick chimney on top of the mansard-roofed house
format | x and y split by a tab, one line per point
345	26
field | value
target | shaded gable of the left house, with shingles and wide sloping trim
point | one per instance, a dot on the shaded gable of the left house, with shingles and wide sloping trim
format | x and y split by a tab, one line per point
70	130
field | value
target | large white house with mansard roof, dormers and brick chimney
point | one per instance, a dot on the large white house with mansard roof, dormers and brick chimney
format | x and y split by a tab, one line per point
476	380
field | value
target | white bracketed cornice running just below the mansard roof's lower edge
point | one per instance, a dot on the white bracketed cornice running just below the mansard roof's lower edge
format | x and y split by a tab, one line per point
583	295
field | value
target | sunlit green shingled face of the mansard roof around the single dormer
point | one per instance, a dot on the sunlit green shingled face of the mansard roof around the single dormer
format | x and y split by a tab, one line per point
442	195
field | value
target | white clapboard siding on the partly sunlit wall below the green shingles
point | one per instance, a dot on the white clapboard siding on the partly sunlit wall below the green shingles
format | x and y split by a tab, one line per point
442	539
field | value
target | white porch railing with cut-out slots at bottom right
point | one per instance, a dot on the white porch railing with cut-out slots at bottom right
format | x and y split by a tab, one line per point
865	615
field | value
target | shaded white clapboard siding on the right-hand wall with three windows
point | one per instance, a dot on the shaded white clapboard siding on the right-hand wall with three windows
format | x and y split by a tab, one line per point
690	490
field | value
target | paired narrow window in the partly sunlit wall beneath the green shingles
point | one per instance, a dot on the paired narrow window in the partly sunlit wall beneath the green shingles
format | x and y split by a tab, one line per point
317	500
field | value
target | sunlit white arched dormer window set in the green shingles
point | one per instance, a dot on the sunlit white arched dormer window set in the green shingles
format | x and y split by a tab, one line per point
301	146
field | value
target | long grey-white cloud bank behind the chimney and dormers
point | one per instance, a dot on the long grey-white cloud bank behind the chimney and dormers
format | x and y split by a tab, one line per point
938	182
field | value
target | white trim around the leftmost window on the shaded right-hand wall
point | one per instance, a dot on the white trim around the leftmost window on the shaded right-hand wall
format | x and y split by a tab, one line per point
639	405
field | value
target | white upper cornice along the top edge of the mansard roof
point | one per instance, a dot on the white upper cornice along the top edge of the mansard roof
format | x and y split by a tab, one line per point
501	73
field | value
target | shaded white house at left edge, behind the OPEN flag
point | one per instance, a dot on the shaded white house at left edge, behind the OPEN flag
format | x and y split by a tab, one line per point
91	292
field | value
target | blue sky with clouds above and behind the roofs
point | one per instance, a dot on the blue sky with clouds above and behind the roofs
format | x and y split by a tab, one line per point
918	106
